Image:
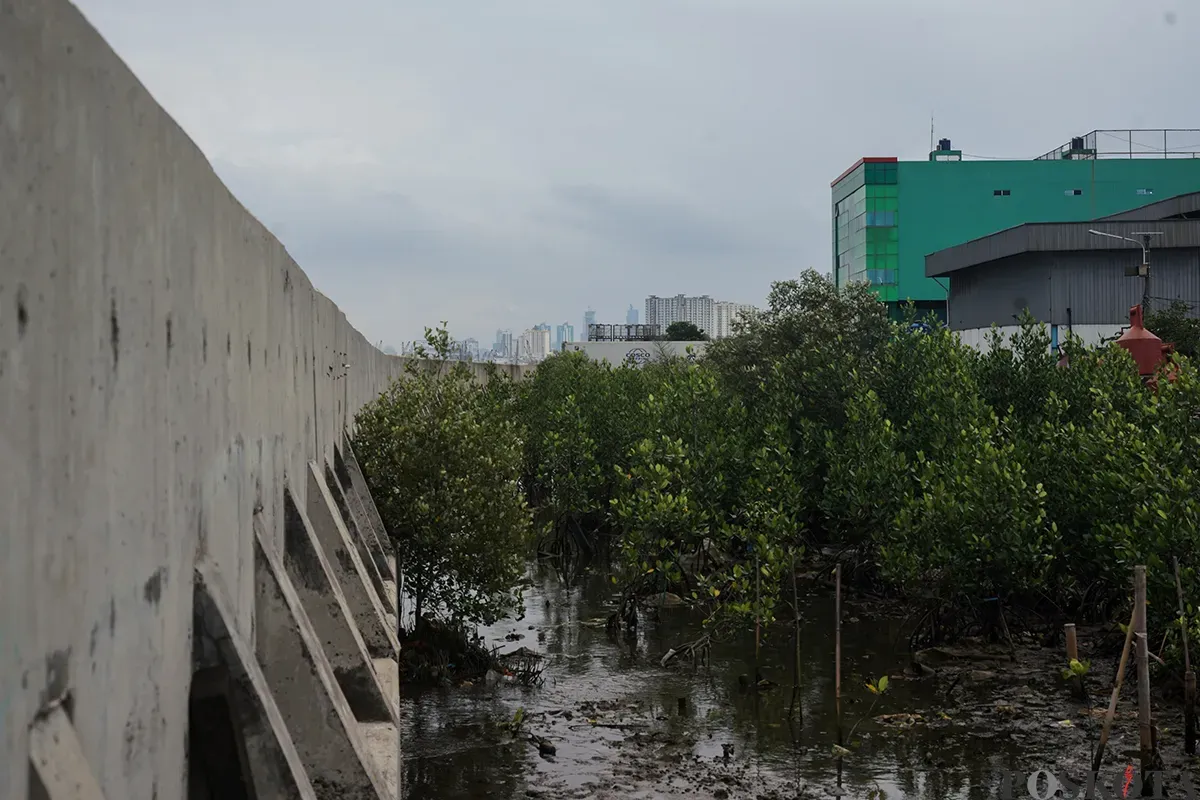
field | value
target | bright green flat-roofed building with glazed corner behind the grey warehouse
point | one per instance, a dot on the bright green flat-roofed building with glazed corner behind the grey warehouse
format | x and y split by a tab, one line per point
946	202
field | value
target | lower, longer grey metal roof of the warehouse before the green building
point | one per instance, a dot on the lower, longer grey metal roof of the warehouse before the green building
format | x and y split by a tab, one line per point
1059	237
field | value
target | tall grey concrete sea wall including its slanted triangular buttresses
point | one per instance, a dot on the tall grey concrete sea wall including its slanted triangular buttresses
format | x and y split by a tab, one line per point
187	548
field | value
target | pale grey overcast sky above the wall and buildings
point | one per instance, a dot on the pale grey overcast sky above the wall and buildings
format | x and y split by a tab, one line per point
500	164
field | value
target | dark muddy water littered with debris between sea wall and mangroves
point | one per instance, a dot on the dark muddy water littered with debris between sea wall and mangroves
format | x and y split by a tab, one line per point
614	714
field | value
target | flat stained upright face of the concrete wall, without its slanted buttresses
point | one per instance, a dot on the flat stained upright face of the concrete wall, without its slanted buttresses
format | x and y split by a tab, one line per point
166	370
